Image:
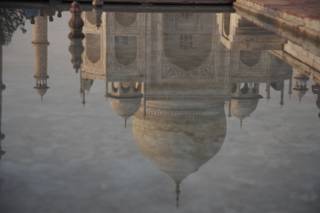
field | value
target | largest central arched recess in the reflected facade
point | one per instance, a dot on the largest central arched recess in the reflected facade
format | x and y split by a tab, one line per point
185	43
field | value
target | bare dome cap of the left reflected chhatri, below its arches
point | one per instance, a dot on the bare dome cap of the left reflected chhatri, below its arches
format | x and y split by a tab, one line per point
125	107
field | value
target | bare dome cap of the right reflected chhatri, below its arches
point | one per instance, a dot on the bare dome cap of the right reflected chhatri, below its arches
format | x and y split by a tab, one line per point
242	108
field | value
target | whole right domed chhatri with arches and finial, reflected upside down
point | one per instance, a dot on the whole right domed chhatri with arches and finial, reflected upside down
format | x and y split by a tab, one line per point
244	100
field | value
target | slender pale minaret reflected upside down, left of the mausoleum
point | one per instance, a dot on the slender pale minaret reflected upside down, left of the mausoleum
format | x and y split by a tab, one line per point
40	44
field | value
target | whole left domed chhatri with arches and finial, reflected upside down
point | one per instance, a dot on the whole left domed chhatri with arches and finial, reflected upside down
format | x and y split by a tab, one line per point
125	98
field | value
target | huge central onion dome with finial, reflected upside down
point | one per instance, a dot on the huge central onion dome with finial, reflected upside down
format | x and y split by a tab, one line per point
179	136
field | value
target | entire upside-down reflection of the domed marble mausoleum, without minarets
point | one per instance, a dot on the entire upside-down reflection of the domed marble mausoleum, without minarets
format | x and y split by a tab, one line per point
174	72
